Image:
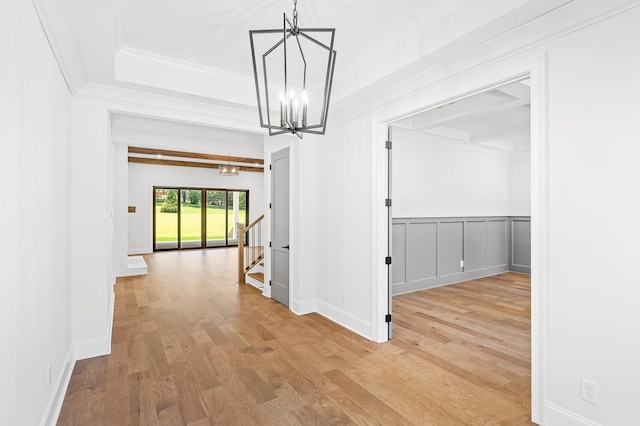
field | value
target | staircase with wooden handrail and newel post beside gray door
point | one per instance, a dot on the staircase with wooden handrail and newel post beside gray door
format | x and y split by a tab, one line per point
251	254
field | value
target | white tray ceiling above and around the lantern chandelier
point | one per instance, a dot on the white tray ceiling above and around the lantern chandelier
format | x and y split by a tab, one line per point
199	49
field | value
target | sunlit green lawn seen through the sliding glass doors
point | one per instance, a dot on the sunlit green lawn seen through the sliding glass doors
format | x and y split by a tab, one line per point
167	223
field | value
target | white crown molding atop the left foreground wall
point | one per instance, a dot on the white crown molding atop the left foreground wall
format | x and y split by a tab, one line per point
61	35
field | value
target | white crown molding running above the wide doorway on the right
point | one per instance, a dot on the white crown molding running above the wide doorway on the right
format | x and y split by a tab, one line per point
430	71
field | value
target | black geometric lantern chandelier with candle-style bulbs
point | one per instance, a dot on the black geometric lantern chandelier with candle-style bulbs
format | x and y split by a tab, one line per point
293	76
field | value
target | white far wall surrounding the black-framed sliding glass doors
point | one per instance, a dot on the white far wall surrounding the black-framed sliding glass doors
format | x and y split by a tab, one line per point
142	178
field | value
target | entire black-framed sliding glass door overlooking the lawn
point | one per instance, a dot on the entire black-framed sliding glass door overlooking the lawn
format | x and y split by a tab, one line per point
197	217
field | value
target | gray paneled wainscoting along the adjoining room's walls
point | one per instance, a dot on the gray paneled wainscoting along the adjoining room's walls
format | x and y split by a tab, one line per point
430	252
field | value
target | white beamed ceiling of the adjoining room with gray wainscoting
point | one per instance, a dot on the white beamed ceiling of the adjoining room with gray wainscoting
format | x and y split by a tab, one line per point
499	119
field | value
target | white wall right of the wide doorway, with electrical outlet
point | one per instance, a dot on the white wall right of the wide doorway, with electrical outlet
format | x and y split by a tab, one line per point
594	318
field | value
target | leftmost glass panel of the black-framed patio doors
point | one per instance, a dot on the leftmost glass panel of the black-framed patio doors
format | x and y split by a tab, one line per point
166	218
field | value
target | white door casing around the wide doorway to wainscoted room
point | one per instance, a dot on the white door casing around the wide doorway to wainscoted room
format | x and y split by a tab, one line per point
469	84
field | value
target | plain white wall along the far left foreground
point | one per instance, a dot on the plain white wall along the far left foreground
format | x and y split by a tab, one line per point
35	292
